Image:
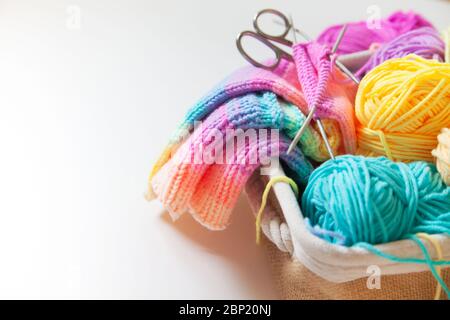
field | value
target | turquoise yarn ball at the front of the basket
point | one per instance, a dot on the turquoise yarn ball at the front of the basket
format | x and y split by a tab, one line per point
355	199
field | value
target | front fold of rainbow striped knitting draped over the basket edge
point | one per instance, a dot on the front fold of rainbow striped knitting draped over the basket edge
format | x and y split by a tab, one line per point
210	189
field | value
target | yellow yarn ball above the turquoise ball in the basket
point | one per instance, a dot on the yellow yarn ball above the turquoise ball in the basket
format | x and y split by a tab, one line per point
401	106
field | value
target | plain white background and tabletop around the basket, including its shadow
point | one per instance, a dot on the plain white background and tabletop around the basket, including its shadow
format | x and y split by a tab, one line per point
84	113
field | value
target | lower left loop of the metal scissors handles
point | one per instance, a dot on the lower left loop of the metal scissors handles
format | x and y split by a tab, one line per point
279	53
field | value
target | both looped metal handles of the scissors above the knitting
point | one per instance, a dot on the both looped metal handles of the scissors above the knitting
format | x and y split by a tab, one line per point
267	39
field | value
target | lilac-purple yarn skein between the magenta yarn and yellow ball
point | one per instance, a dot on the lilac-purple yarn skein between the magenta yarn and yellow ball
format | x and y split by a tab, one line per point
425	42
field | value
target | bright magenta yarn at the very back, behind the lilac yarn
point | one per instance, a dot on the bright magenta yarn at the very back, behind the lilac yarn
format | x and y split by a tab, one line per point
360	37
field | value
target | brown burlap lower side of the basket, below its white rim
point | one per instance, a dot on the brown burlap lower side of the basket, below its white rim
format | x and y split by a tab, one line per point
294	281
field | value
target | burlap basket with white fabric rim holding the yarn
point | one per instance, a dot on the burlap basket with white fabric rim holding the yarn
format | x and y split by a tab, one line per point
307	267
